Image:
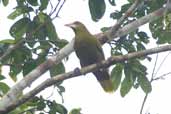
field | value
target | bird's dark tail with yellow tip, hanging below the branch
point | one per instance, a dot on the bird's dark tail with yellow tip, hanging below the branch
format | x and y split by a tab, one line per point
104	80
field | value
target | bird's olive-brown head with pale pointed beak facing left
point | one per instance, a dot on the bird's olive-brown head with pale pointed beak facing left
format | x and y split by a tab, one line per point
77	27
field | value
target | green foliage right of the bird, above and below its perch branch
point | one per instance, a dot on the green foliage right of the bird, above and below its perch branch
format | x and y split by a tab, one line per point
133	70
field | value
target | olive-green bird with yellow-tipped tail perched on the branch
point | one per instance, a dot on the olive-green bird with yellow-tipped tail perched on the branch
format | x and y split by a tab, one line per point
89	51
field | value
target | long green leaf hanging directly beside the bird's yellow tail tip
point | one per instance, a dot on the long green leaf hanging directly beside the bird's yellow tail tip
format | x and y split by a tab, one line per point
116	75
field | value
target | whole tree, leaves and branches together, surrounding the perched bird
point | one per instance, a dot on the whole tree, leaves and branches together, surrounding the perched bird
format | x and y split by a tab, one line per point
35	47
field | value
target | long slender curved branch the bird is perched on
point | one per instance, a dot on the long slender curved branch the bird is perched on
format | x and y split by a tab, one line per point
106	63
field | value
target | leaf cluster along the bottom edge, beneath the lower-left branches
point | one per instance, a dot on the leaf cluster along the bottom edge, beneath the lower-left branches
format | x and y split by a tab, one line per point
41	105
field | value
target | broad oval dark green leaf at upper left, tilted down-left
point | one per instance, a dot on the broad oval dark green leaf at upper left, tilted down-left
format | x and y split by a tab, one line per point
19	28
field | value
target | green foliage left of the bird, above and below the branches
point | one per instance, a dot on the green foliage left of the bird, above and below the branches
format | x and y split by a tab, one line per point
35	28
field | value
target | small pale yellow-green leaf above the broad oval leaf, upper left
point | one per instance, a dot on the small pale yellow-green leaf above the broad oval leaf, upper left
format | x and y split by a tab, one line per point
19	11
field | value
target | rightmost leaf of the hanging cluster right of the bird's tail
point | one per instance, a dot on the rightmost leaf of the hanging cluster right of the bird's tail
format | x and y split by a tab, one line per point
145	84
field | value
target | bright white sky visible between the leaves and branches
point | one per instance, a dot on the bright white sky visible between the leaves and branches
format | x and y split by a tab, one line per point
85	92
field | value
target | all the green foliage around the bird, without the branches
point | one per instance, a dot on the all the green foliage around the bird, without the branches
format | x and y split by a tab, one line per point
34	27
